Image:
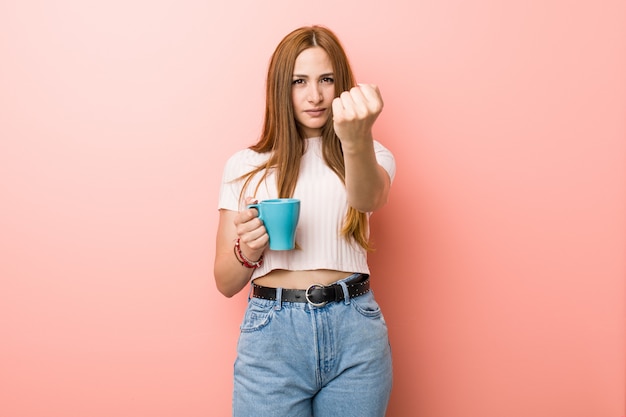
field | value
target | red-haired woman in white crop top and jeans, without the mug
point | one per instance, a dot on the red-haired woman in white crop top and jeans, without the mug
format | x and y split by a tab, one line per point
313	340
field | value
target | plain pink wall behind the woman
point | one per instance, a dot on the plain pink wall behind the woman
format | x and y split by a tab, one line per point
500	261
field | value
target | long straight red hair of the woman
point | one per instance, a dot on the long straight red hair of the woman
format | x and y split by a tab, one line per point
281	135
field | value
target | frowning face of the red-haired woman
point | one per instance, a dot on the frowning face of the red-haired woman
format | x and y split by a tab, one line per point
312	90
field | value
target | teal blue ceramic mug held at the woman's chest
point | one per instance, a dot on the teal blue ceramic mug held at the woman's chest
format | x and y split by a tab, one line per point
280	217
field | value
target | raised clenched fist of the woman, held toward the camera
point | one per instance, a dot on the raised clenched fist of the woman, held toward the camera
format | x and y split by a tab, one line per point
354	113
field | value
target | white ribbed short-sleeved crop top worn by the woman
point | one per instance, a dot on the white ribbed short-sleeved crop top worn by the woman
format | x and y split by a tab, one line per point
323	208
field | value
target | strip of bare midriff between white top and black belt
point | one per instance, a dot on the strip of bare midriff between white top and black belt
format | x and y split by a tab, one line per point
300	280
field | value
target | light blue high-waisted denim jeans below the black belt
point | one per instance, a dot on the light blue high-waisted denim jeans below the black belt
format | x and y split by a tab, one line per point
297	360
